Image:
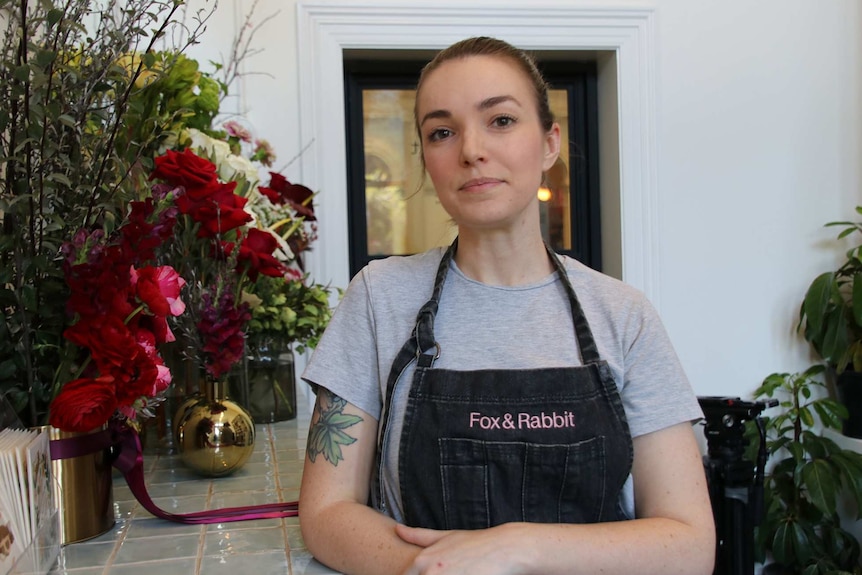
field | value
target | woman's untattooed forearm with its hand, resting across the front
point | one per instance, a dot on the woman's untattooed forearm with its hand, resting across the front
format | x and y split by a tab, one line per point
659	546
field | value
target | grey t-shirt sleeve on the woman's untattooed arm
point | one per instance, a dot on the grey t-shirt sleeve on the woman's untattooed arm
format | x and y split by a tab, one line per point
656	392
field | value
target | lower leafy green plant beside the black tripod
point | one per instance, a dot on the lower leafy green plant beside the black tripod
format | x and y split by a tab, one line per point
801	526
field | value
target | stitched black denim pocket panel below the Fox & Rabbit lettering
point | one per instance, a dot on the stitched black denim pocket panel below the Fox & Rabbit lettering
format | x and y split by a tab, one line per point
487	483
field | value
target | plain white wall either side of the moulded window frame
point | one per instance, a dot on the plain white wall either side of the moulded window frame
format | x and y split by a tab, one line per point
758	126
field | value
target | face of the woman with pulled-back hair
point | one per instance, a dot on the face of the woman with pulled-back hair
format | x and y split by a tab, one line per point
483	144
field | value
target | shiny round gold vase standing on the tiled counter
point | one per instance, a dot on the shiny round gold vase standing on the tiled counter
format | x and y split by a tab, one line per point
213	435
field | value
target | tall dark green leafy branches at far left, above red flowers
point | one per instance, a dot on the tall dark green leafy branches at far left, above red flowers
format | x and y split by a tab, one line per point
74	148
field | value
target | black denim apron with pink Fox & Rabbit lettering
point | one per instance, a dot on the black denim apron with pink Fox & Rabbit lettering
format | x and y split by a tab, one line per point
485	447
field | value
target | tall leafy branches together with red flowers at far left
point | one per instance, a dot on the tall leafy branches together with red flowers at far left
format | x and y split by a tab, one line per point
73	201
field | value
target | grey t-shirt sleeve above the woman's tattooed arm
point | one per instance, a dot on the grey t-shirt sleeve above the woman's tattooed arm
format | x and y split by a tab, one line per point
345	360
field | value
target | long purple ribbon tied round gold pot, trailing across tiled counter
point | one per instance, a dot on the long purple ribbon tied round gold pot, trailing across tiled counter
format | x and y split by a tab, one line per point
129	460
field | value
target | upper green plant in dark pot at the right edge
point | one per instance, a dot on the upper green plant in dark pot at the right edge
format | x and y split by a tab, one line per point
831	321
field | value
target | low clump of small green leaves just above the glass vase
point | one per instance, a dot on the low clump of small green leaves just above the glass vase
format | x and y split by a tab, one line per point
291	311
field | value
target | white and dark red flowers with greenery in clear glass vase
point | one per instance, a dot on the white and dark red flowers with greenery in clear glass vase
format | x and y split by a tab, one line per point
286	308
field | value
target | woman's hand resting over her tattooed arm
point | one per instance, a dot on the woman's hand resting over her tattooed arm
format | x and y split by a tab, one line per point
495	551
